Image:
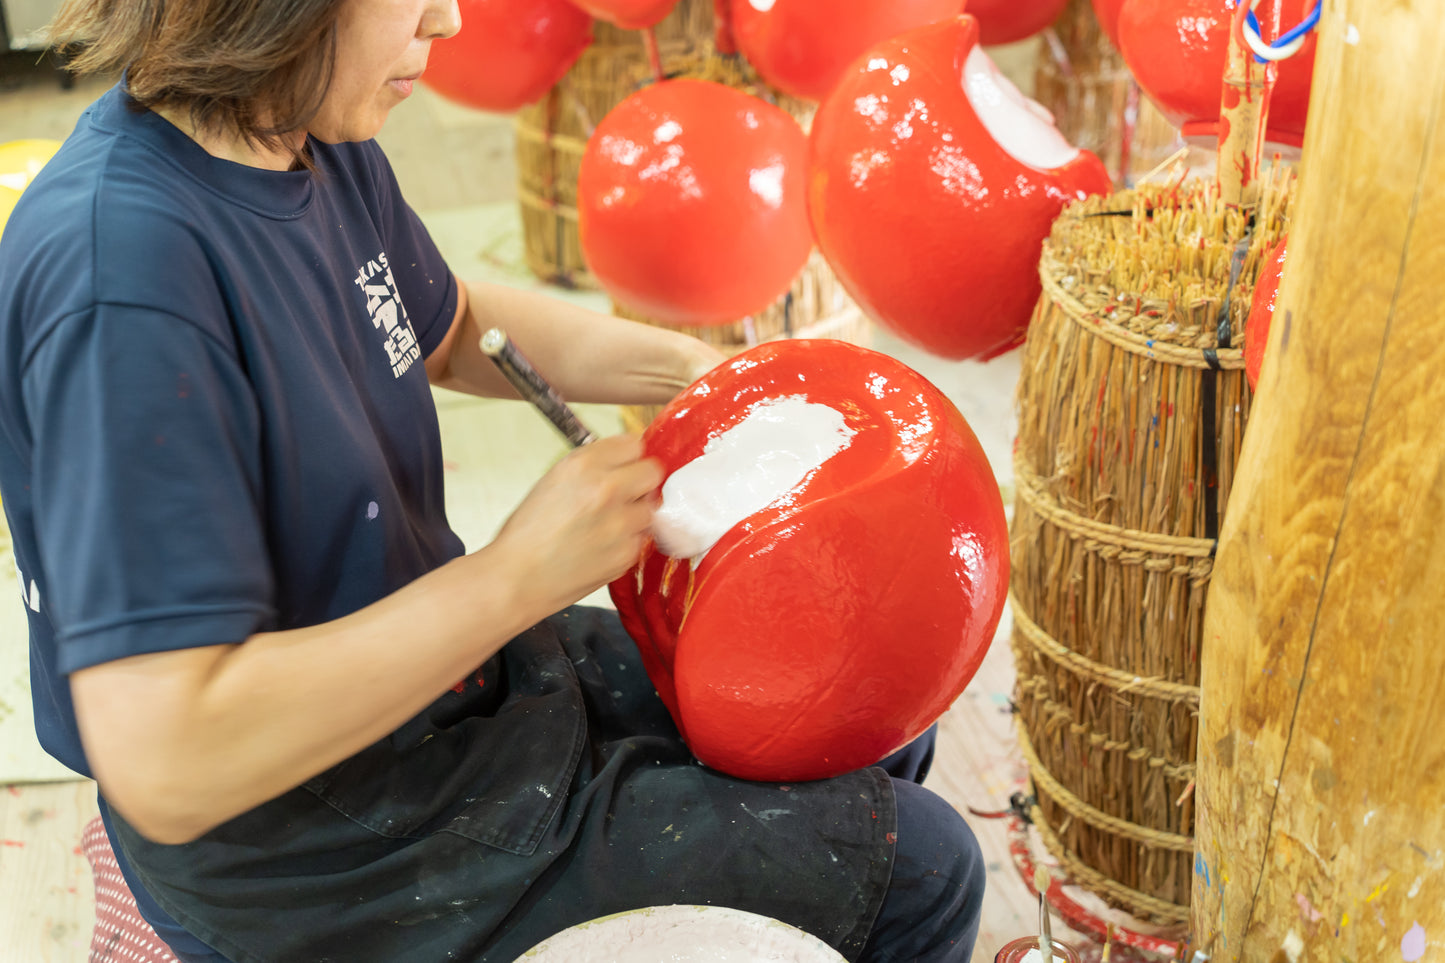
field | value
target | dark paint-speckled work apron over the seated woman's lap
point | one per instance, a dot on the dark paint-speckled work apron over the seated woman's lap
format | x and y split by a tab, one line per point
553	793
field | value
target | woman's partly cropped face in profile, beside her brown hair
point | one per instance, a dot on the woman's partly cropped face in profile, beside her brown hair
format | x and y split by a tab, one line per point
382	48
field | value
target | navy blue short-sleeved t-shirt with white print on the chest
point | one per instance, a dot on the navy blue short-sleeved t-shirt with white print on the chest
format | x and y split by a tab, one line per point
215	417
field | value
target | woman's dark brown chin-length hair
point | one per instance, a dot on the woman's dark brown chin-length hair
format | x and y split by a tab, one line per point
259	69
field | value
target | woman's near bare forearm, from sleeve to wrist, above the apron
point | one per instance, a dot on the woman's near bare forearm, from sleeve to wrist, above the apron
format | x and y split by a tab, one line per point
184	741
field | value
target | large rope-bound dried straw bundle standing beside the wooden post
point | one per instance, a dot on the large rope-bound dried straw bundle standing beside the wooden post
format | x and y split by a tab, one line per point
1132	408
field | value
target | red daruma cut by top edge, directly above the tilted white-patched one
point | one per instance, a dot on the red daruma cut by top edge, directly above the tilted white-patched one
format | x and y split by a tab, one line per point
803	47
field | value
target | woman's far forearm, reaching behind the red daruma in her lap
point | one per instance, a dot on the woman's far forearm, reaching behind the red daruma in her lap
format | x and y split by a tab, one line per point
587	356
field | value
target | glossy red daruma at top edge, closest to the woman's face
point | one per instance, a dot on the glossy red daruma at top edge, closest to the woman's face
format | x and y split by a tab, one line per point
508	53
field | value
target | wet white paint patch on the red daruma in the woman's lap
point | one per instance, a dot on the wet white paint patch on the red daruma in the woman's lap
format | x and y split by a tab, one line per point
743	471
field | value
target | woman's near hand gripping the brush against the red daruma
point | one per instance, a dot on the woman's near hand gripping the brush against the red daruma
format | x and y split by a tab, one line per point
585	524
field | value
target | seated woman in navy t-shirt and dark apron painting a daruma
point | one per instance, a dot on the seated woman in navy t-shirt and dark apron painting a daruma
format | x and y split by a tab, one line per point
249	618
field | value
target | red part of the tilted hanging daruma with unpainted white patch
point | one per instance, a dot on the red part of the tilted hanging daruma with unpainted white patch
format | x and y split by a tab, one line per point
933	228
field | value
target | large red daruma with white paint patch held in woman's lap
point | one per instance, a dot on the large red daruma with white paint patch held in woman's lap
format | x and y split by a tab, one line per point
859	569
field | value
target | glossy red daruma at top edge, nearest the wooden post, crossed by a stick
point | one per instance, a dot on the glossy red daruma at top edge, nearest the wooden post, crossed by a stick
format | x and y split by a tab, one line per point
1177	51
